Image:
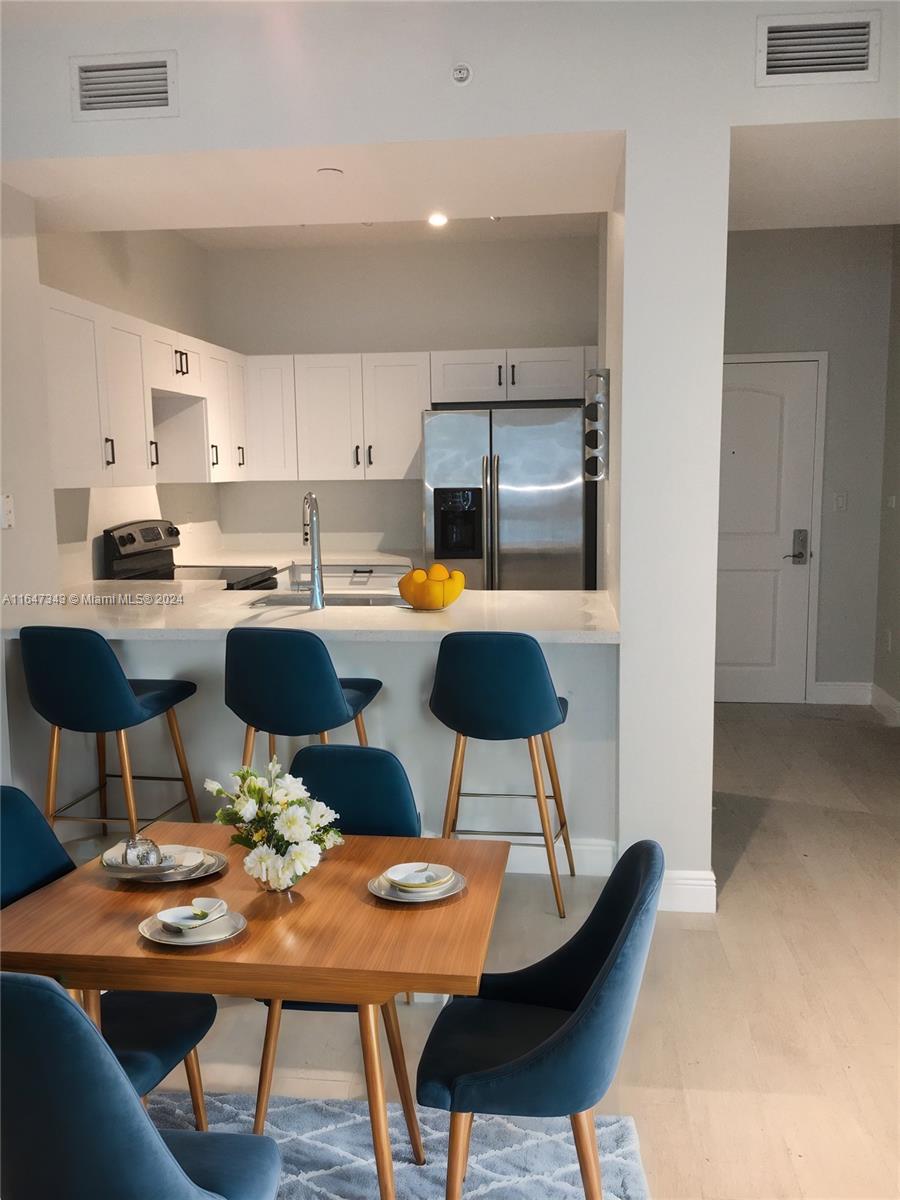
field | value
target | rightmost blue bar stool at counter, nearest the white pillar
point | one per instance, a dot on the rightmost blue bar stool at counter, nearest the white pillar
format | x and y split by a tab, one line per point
497	688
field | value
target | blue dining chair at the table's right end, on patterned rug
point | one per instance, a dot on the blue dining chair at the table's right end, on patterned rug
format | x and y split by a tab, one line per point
547	1041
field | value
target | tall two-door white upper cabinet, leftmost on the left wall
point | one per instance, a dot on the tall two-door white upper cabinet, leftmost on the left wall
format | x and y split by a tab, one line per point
99	401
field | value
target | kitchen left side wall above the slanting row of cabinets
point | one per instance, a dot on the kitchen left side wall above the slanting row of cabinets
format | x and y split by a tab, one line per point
160	277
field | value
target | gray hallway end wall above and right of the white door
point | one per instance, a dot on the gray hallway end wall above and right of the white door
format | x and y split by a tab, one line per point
830	290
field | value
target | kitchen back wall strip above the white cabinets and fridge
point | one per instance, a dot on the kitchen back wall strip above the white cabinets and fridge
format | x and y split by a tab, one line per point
419	297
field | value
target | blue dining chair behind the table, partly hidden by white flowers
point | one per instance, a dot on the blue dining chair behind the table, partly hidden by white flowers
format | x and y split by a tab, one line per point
371	794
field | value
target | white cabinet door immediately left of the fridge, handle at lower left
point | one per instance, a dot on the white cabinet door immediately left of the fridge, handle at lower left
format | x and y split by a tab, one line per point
395	393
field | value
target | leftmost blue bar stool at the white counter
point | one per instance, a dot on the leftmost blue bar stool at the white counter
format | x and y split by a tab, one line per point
76	682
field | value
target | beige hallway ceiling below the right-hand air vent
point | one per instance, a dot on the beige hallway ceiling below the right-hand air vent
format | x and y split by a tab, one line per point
836	173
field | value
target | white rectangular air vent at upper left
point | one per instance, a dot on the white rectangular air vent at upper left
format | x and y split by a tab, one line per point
109	87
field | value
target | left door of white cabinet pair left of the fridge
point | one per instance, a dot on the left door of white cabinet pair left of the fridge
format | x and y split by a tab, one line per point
329	416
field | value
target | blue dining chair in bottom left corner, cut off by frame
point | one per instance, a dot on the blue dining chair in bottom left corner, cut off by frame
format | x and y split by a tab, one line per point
74	1129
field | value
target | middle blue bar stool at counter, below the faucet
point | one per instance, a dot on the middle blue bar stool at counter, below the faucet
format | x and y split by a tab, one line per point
284	681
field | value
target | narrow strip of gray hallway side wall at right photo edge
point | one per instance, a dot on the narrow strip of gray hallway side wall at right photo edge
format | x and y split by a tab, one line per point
887	663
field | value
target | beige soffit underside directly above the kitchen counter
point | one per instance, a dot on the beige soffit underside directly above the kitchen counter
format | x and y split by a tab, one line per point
393	183
